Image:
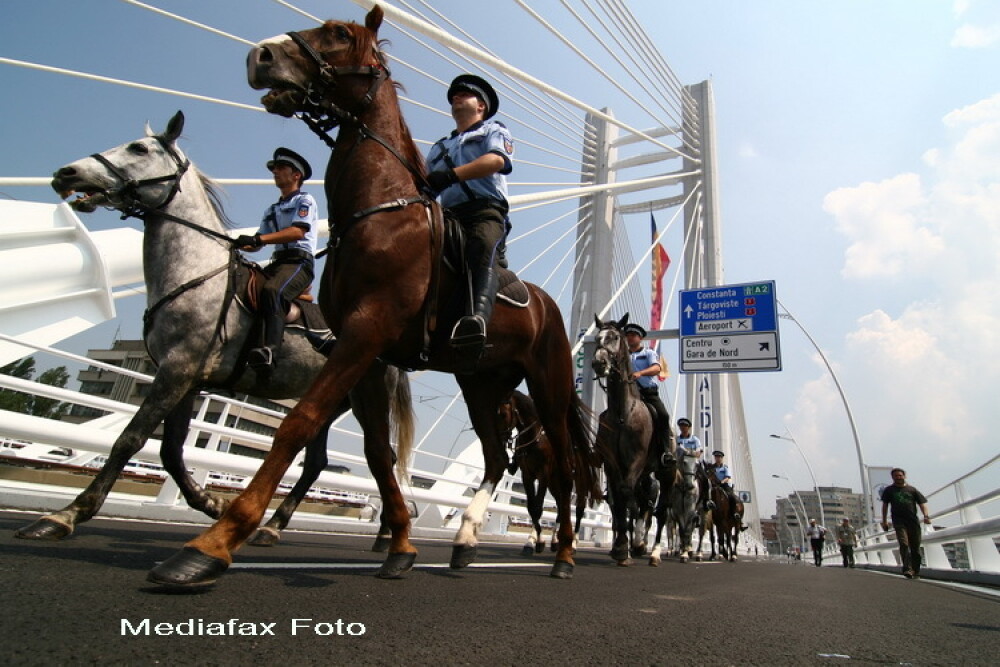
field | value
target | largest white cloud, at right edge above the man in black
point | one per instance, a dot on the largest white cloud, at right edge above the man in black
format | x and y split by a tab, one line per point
922	365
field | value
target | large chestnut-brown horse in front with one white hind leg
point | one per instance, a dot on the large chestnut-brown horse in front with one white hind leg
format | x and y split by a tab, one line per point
385	296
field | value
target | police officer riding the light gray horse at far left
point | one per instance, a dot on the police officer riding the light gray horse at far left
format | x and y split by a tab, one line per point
290	225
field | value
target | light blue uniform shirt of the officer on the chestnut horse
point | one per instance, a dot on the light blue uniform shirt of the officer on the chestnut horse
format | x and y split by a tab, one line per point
489	136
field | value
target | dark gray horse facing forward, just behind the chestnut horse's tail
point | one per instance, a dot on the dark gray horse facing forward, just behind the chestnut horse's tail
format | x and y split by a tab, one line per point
625	442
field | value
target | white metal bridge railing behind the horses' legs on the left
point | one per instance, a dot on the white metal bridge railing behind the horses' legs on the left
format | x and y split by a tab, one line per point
437	508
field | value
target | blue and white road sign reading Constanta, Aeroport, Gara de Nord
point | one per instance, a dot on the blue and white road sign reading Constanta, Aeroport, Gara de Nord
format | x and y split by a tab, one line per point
729	329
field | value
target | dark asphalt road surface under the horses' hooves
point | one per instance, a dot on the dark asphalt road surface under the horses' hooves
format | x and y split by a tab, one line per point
313	599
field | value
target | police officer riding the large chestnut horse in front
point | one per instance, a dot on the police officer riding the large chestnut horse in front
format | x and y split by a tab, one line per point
468	170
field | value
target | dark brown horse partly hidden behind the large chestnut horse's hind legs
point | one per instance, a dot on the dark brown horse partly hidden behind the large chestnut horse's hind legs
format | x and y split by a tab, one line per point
532	455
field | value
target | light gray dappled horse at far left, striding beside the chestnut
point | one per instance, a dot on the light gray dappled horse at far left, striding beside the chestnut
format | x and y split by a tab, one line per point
194	327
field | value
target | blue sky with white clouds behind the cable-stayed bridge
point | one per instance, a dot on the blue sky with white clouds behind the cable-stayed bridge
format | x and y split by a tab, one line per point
859	168
